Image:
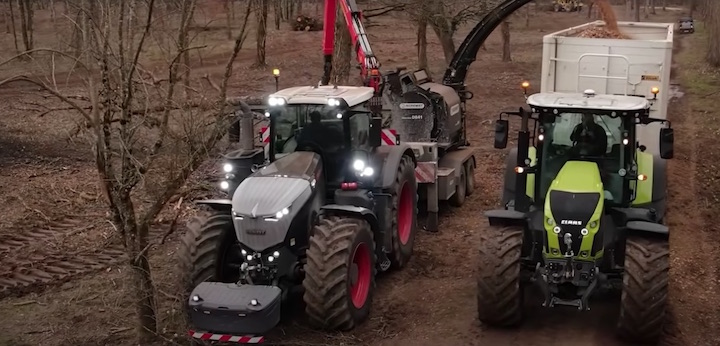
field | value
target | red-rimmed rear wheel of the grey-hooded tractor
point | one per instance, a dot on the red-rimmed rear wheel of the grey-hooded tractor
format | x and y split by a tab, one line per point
404	216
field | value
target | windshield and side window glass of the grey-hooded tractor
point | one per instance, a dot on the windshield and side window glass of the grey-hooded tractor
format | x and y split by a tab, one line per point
318	127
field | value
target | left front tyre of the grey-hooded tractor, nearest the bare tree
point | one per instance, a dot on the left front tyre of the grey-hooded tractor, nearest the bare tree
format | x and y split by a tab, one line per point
209	251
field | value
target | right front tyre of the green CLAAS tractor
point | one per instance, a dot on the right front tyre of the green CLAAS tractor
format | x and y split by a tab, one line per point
643	304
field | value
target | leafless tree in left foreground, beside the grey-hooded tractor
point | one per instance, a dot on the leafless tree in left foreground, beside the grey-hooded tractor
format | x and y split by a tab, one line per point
145	138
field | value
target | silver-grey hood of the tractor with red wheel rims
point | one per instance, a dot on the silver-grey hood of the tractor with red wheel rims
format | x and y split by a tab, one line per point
266	203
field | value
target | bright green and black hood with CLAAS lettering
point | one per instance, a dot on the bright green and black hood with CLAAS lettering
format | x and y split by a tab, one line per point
574	203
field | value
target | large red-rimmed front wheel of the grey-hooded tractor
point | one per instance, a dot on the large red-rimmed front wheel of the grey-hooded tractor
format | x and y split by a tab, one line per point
339	273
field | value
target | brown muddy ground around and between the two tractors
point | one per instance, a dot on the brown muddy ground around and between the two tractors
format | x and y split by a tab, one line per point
62	283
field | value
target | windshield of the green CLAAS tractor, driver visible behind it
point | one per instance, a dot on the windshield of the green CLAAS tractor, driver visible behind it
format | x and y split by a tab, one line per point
584	136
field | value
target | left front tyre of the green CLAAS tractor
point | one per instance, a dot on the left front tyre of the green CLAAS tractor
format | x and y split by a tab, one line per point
499	294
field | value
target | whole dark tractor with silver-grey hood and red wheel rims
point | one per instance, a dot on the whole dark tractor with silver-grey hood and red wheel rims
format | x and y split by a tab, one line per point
327	210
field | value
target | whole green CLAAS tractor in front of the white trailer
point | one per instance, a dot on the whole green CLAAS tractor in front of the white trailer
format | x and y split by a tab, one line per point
584	205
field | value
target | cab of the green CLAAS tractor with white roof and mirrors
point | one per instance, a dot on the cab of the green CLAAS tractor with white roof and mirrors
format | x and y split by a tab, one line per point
586	136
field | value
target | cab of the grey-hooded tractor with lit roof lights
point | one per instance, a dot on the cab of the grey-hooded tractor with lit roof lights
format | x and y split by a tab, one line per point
334	122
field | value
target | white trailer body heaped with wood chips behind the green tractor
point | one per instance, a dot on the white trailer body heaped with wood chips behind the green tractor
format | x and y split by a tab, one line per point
613	66
